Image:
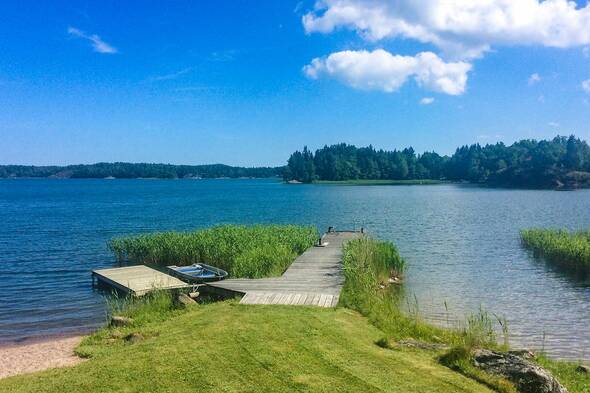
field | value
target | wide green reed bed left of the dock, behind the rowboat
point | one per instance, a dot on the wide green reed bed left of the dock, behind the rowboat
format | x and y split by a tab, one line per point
244	251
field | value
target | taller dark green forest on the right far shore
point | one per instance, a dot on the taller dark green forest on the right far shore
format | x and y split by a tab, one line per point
563	162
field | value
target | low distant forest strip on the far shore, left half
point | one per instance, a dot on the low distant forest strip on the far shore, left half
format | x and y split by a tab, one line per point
122	170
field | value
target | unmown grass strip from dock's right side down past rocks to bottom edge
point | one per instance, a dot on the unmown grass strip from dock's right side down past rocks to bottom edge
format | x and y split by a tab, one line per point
368	264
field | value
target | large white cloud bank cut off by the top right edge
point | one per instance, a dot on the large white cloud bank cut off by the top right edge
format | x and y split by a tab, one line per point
460	28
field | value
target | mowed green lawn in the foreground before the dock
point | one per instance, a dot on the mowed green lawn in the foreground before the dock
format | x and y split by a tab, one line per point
227	347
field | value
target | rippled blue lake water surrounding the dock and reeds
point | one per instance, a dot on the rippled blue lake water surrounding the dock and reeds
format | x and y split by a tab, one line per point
461	243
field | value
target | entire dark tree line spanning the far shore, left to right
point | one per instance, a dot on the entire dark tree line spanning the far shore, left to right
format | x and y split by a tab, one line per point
560	162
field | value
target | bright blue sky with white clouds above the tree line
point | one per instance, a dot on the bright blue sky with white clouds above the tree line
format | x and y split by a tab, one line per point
224	81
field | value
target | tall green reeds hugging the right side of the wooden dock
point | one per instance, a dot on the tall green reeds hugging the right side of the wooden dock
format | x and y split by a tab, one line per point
368	266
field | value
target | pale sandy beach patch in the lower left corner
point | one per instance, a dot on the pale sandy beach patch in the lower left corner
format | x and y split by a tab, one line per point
37	356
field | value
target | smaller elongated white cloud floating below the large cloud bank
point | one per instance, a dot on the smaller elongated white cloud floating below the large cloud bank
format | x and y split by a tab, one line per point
381	70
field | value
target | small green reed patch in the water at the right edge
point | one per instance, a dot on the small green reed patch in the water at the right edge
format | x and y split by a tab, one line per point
570	250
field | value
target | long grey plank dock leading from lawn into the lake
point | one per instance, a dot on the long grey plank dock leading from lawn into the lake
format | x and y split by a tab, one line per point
315	278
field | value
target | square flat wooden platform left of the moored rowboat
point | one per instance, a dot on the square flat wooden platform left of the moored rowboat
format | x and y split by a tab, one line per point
137	280
